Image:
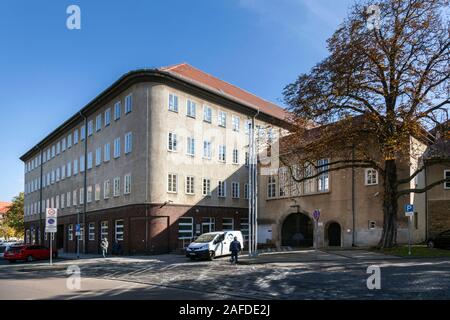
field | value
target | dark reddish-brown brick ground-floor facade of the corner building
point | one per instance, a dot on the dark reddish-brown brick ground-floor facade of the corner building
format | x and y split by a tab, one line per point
147	229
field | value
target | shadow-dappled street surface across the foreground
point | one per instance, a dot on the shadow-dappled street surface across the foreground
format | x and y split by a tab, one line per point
174	277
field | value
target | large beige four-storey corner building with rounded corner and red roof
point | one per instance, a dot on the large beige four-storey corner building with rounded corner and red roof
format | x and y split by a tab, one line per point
154	160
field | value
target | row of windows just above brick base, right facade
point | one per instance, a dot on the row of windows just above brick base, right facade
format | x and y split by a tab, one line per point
190	187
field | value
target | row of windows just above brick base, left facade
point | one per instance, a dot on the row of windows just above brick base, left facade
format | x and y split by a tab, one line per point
75	197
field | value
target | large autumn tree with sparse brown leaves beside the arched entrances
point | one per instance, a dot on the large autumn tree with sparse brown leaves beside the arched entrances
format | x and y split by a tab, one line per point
379	86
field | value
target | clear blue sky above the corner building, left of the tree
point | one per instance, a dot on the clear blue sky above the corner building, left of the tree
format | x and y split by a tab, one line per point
48	72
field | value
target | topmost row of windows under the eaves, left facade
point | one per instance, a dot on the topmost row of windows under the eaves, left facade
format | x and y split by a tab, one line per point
80	134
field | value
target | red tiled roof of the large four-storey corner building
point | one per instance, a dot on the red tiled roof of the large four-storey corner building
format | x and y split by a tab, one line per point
187	71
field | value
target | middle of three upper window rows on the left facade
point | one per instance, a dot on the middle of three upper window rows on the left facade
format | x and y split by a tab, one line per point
65	171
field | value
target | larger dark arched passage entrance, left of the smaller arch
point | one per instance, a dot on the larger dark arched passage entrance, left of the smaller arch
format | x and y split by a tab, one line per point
297	231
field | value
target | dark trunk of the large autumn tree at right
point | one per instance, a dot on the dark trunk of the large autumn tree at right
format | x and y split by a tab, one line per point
389	235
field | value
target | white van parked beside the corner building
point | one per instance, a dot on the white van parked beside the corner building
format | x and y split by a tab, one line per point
213	244
